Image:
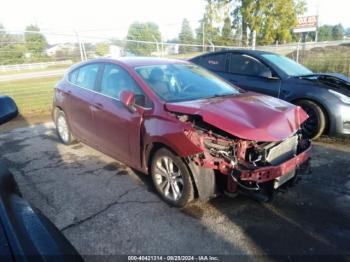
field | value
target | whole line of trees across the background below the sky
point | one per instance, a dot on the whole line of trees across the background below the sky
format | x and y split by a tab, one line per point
224	23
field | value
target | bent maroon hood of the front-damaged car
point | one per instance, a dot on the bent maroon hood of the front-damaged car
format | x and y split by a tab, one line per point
248	115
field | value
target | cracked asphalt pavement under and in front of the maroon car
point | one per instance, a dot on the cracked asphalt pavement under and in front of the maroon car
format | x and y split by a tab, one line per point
103	207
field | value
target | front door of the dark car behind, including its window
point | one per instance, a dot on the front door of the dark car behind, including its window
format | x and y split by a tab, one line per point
251	74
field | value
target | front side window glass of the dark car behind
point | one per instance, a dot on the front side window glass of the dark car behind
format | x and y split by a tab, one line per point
242	64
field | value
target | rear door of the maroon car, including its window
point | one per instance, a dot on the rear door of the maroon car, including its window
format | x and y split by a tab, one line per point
79	95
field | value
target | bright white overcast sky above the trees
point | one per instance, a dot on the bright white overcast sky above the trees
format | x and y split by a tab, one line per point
108	18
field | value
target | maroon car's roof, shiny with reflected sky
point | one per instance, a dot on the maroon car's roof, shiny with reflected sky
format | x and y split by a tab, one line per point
140	61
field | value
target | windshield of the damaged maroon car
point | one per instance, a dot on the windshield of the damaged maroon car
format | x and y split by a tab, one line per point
183	82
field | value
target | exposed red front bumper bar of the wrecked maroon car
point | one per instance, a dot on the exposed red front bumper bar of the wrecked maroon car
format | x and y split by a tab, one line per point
251	179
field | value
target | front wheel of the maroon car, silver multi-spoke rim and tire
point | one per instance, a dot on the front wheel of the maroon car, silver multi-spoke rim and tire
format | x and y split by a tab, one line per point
175	187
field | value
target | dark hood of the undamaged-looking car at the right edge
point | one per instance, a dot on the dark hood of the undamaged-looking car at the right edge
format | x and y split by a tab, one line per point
334	81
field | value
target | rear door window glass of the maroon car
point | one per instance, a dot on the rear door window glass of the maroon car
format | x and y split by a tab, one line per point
85	76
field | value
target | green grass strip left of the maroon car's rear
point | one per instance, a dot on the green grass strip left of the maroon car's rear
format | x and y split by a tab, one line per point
33	96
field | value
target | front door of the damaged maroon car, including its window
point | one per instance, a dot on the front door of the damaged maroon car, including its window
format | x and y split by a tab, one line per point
117	128
